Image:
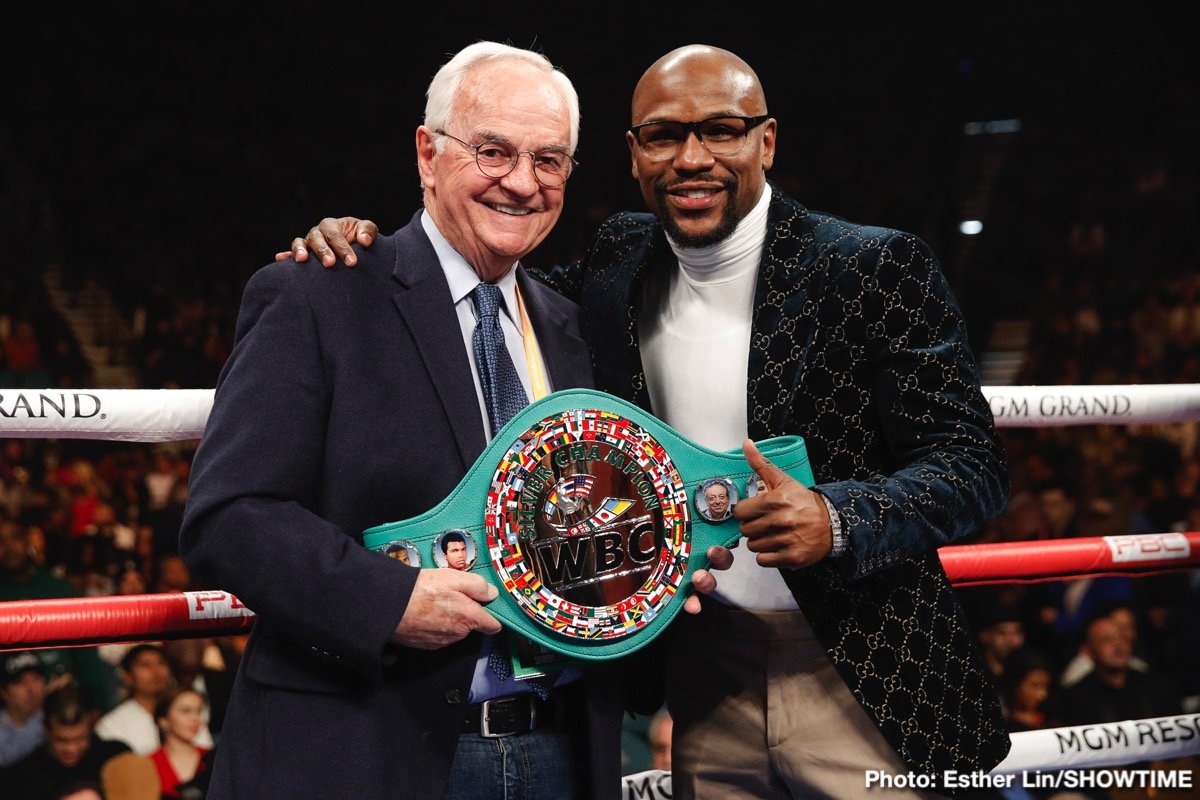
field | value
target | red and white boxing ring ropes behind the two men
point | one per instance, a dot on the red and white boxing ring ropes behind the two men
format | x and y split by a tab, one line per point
1043	756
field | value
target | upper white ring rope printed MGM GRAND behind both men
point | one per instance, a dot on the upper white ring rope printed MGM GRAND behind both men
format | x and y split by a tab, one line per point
179	414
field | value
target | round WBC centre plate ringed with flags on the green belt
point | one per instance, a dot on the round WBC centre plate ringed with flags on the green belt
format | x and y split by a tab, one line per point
587	525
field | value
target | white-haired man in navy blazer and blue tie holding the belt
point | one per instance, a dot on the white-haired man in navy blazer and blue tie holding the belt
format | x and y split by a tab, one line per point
353	399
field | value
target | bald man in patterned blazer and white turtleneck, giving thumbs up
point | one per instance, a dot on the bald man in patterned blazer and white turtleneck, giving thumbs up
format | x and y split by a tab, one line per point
839	648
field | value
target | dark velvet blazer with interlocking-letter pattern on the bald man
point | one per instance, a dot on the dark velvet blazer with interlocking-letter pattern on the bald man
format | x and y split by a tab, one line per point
860	347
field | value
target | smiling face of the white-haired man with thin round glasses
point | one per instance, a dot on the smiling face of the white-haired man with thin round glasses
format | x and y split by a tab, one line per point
495	221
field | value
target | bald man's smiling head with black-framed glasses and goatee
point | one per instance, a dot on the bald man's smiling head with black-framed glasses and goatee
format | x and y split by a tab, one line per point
700	197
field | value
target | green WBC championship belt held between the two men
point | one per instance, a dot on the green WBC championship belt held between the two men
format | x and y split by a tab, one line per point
591	518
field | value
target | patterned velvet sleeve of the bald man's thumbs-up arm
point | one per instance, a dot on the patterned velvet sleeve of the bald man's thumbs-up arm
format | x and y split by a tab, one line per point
947	474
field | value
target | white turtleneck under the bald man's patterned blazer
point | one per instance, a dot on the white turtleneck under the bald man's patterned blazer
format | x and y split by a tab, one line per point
695	345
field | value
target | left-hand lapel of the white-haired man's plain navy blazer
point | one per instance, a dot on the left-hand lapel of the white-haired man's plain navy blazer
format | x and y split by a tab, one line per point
424	302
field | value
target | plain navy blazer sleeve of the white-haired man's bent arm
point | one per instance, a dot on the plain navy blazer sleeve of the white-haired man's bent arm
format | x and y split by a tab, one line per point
251	525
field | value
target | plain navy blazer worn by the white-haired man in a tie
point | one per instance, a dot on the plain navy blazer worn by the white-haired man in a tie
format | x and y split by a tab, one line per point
349	402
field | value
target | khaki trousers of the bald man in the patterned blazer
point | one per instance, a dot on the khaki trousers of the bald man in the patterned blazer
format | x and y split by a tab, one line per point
760	712
